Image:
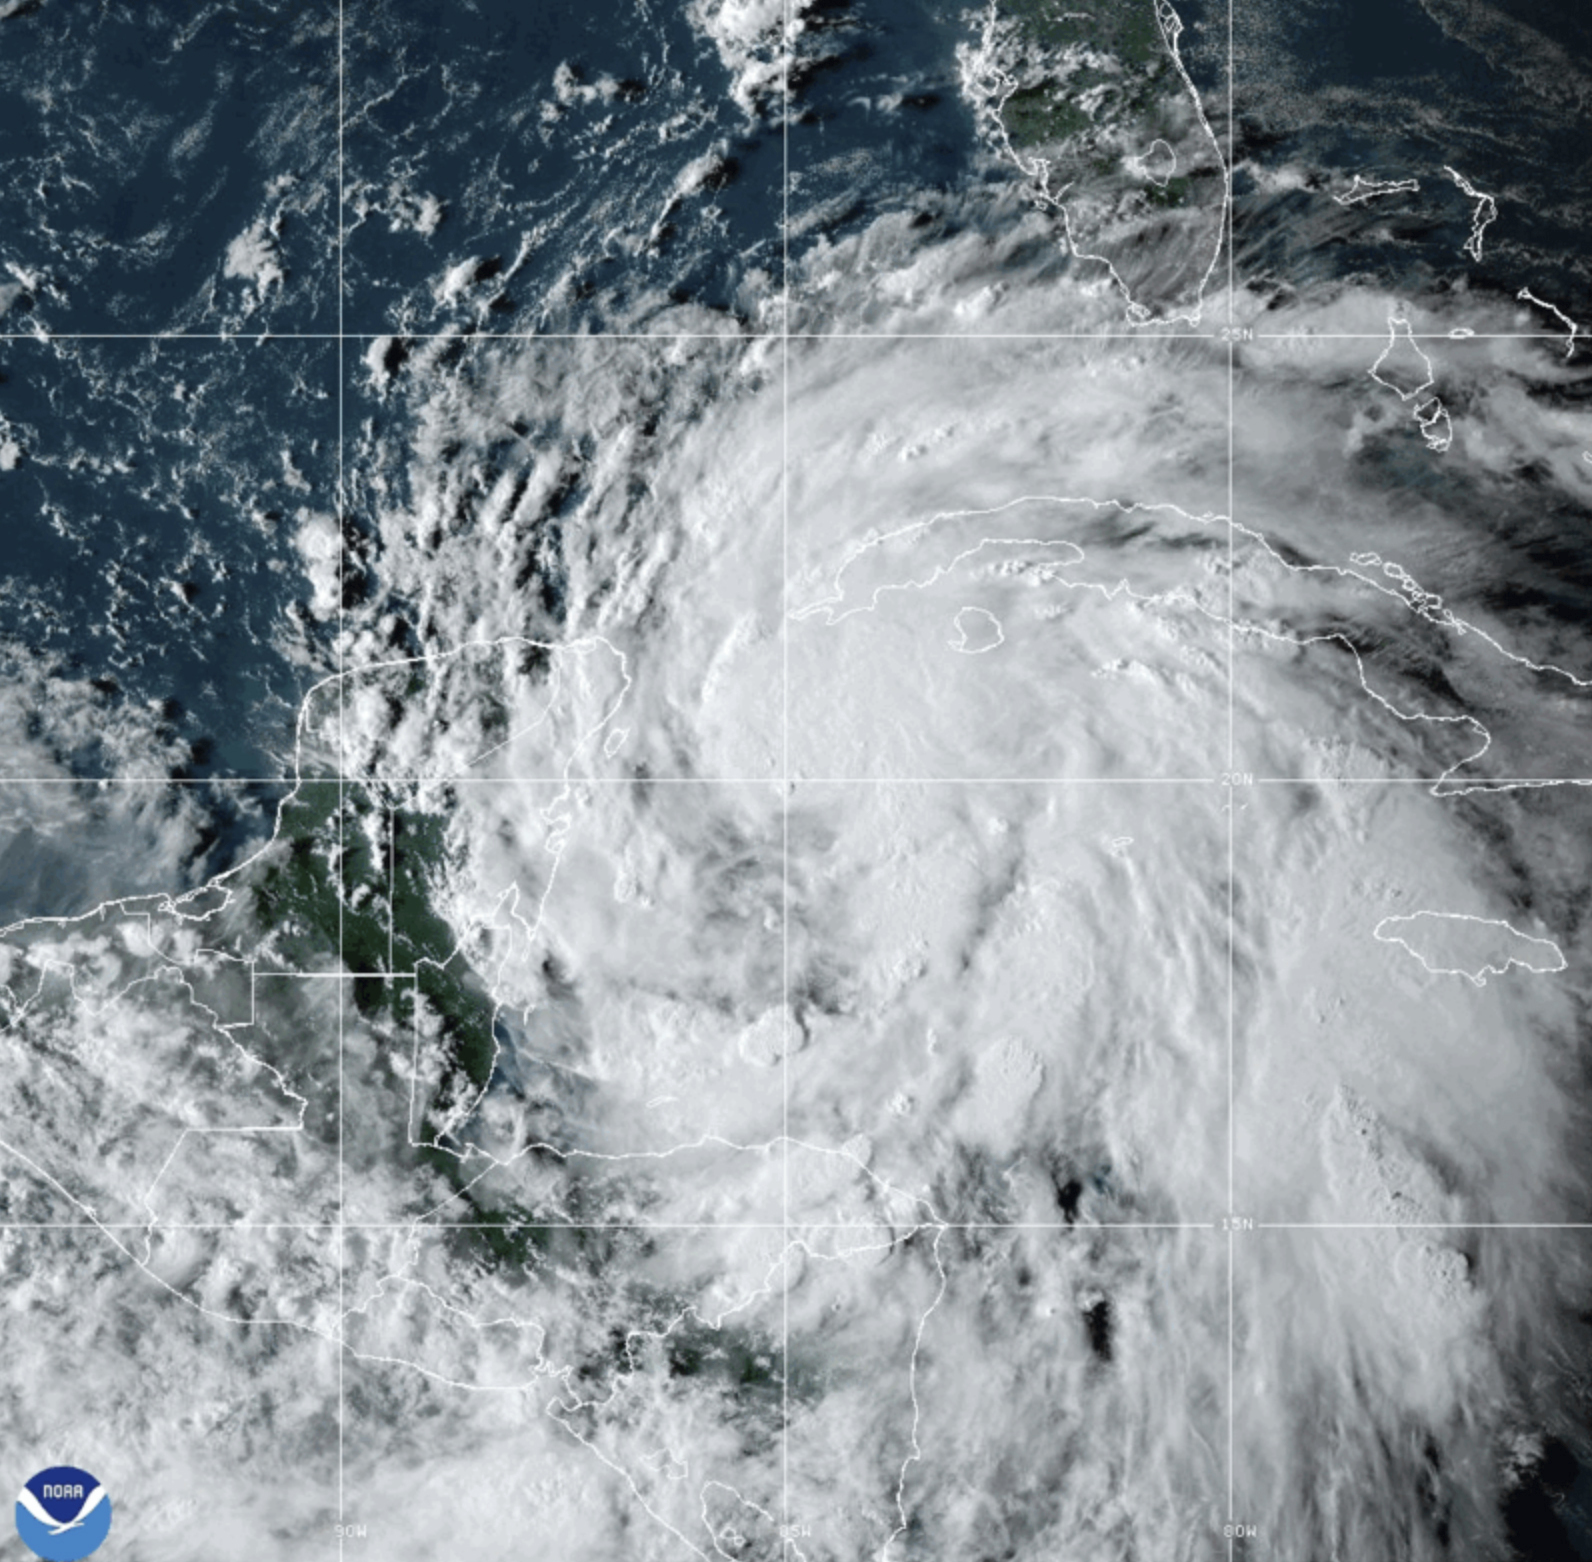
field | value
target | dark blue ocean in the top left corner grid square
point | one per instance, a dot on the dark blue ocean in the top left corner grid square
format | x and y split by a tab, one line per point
139	139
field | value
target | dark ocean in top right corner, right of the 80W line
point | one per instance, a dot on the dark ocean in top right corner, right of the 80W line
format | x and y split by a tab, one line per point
1502	96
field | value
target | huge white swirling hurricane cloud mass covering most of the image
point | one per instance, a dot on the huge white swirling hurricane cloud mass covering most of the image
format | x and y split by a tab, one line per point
961	945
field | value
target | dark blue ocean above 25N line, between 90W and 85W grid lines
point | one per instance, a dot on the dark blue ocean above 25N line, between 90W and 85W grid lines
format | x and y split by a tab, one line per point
552	139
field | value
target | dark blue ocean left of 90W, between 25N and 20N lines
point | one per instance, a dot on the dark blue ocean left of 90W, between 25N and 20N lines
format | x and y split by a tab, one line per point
150	533
